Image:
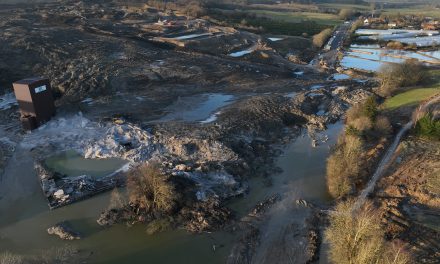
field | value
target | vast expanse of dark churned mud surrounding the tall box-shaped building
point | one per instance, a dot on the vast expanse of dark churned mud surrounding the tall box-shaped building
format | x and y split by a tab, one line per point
116	71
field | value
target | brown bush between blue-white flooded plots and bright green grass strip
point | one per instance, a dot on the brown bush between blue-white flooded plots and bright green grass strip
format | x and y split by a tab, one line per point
395	76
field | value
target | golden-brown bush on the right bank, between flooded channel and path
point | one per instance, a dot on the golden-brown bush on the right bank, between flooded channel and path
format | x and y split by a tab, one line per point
344	166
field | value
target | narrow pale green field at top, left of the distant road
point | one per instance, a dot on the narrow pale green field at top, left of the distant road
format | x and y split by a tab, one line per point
296	17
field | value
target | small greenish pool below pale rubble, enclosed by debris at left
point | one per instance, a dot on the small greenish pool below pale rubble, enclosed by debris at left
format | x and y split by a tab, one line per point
71	164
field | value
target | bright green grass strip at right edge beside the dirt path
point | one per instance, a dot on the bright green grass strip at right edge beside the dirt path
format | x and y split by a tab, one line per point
411	97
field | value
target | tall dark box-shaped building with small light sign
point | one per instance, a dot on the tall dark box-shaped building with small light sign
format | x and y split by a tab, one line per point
35	99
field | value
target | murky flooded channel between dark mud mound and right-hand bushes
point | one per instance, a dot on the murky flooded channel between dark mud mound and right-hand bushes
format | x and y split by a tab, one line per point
303	171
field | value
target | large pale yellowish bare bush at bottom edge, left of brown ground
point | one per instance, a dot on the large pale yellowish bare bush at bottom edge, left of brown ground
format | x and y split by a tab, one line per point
356	237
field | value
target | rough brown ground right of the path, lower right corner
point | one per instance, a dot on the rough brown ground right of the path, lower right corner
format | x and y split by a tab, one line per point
409	198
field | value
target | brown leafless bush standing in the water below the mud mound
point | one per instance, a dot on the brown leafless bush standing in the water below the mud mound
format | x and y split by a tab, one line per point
149	190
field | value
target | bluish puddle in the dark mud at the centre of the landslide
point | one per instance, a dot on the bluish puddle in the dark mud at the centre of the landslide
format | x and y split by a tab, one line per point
196	108
